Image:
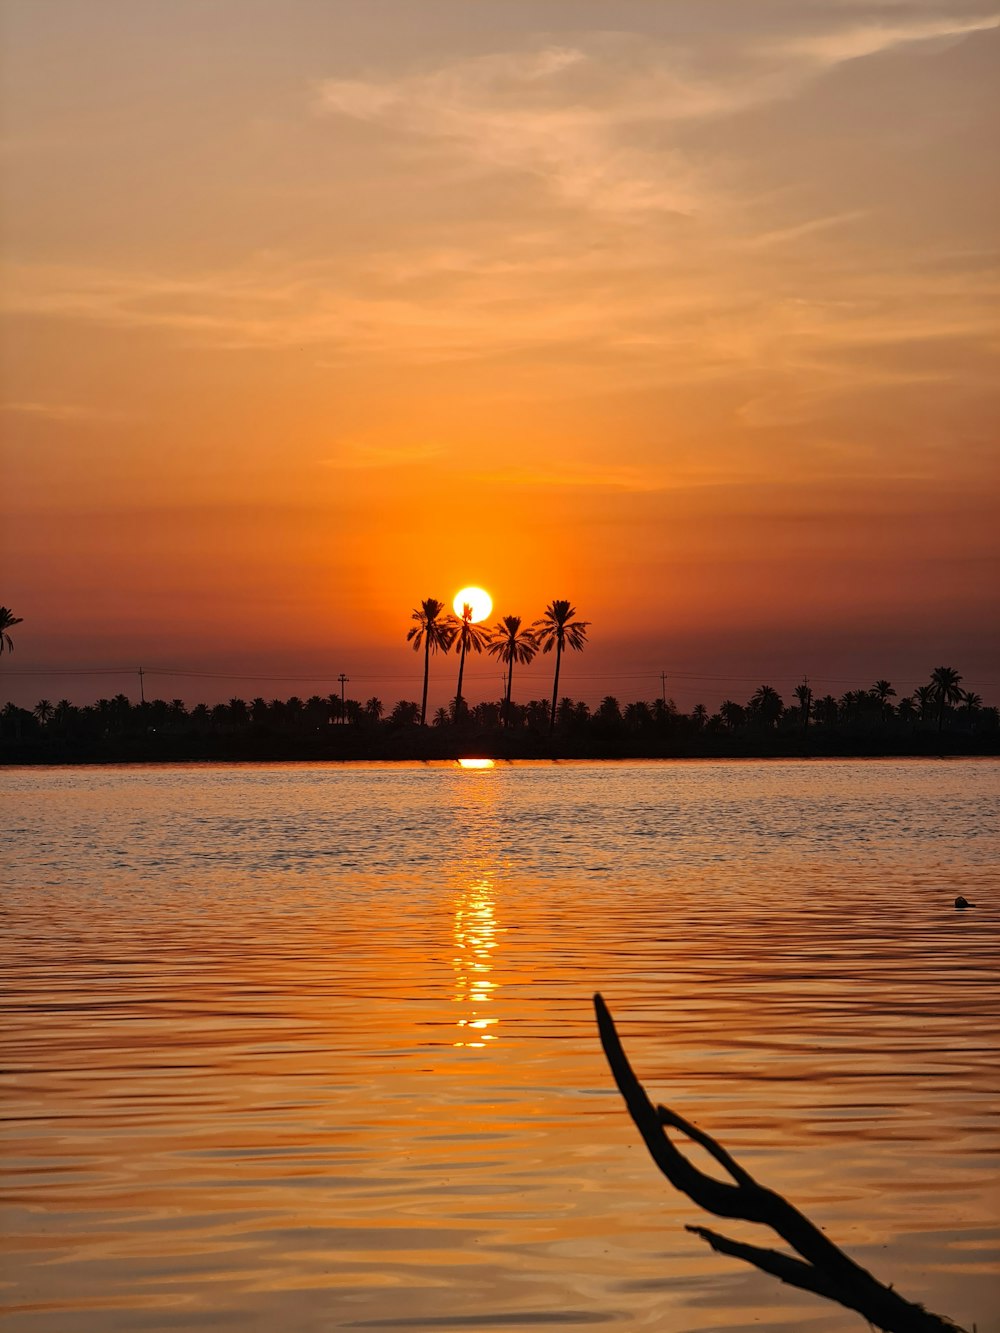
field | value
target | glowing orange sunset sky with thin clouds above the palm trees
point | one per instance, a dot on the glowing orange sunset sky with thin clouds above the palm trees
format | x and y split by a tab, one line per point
686	311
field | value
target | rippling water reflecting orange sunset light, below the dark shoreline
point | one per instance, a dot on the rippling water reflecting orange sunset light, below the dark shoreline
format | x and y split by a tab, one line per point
306	1048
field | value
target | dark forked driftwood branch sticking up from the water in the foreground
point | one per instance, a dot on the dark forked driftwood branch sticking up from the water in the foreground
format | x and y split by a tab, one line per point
823	1268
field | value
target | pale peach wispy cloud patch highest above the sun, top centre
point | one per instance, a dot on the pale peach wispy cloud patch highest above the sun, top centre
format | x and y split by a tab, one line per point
589	123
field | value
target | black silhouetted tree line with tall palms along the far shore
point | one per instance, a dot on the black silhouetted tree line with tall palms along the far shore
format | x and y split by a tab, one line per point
874	720
